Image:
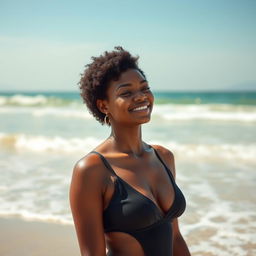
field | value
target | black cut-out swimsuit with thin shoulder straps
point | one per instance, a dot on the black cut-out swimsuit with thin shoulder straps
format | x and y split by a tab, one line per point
129	211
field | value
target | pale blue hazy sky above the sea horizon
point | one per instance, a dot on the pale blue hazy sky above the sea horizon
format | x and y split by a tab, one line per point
183	45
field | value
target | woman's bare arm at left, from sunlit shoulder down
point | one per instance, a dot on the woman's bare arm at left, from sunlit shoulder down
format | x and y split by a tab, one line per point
86	202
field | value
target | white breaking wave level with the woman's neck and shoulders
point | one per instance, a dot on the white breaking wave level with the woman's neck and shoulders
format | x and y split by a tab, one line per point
245	152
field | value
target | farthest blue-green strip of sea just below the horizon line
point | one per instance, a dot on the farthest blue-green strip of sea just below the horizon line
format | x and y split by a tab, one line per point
71	98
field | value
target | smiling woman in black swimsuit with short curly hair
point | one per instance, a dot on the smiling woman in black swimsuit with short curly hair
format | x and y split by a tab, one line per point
123	195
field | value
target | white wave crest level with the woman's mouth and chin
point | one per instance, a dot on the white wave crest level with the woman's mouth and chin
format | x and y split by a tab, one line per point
167	112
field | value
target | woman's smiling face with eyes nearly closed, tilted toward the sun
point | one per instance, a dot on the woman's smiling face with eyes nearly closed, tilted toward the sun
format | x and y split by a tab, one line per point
130	100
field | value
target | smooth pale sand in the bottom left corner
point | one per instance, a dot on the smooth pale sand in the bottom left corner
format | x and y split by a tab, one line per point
30	238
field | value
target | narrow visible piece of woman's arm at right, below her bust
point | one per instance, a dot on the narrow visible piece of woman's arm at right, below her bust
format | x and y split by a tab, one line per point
180	247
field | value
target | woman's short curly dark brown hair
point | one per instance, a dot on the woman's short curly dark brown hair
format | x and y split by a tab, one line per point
97	75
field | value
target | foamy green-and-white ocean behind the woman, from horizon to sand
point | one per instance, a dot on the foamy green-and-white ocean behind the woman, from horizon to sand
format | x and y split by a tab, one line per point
212	136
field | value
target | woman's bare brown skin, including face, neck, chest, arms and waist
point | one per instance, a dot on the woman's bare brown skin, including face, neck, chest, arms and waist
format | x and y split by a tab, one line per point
92	185
